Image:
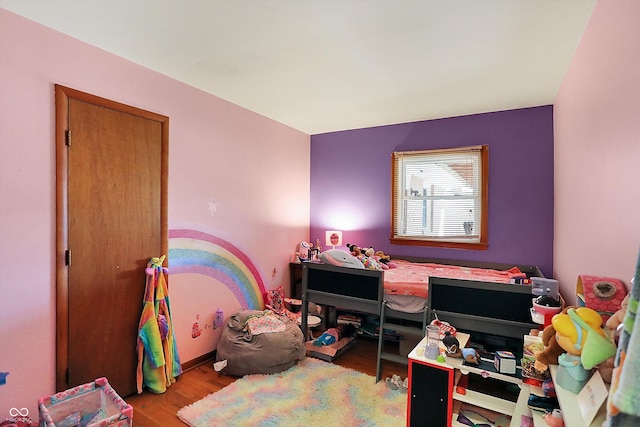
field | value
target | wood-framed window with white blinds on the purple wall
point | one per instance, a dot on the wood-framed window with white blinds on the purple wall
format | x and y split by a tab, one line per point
439	197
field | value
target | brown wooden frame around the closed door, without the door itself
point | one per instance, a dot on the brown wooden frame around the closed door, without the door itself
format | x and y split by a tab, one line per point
62	96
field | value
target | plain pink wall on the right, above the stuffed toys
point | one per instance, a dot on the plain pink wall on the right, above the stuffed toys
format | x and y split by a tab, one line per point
597	150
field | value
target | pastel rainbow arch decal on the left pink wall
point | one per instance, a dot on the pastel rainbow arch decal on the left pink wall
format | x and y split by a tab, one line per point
192	251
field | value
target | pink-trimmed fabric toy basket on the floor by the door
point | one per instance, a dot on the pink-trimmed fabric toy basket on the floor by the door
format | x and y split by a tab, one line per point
92	404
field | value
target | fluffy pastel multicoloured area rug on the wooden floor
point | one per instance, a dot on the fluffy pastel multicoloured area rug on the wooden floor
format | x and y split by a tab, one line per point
313	393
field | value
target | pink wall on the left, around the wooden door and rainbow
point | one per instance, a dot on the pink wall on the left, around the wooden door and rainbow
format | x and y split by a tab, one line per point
262	206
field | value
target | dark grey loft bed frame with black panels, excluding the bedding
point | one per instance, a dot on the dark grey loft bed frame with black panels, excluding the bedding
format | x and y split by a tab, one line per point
504	308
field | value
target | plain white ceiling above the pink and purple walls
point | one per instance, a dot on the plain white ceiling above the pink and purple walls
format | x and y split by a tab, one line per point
328	65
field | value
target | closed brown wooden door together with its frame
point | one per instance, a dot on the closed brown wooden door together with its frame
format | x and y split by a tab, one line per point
112	164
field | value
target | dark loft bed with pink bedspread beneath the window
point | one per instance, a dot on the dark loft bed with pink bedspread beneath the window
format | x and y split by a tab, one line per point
474	297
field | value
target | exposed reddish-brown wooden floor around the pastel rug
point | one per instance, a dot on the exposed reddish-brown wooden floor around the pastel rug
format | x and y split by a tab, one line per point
160	409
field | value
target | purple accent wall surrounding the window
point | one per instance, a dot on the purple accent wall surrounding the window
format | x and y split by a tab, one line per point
351	183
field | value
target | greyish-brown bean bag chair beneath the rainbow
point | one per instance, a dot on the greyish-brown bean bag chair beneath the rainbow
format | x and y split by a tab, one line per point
265	353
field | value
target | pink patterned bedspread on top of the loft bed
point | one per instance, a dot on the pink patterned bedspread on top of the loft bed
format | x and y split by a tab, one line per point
413	279
